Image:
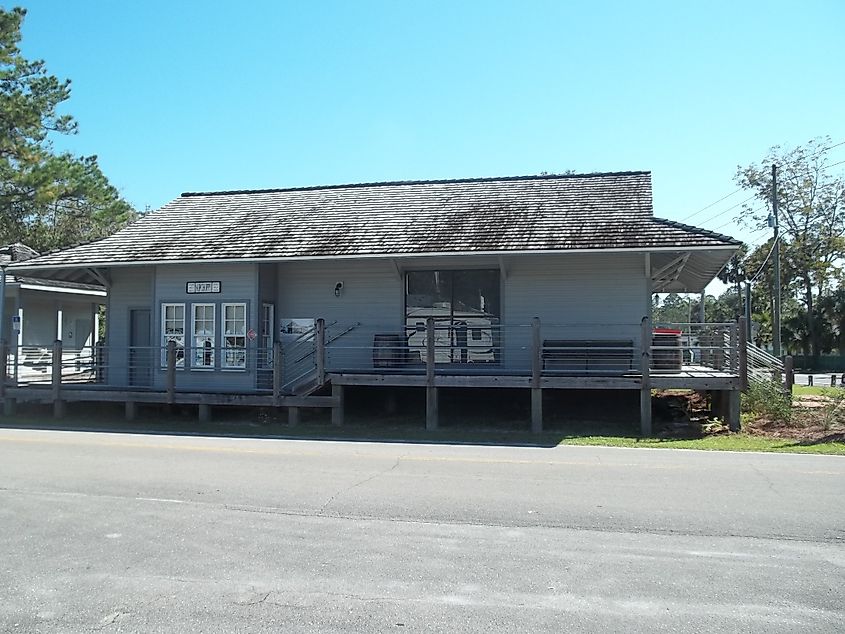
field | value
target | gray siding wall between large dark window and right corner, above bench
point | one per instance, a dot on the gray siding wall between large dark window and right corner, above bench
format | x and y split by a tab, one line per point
577	296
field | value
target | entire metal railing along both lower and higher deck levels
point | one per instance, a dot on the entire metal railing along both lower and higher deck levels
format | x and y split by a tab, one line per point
299	364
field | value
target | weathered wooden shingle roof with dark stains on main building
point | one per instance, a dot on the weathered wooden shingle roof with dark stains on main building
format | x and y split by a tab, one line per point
489	215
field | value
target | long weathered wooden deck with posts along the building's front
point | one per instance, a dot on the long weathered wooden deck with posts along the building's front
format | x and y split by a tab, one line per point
429	375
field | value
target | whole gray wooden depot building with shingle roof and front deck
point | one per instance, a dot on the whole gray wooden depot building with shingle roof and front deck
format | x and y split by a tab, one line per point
542	282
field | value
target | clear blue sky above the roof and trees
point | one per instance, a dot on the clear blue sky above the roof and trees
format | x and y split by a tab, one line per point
193	96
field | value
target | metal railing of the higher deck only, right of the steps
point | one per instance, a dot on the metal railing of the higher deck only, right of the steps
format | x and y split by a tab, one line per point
466	347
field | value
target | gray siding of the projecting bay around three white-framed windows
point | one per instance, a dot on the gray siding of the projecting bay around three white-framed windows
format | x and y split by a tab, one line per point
238	284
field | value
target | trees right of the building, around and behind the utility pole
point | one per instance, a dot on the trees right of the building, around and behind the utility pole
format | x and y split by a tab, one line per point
811	217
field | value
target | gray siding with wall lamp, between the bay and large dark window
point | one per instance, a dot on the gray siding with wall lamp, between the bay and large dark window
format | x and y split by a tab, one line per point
372	295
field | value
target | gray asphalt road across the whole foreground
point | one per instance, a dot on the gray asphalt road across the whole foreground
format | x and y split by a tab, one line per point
130	533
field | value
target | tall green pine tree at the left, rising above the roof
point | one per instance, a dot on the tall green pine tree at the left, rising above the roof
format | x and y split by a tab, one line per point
48	199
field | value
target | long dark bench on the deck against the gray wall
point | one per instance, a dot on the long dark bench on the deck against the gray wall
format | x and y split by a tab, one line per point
592	356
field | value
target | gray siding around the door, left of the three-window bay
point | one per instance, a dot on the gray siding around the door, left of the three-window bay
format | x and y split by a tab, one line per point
131	288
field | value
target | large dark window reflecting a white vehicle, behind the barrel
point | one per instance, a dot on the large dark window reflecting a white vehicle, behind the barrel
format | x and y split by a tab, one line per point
465	306
